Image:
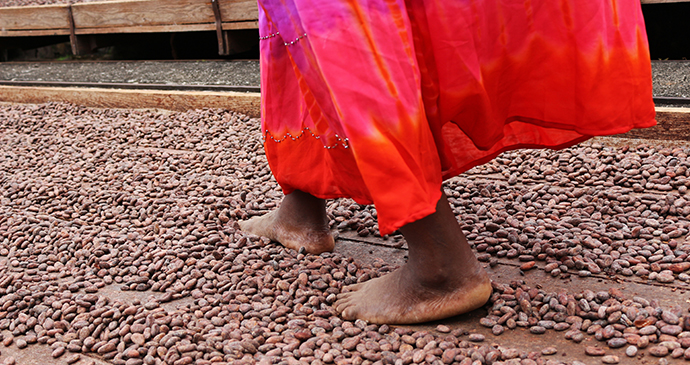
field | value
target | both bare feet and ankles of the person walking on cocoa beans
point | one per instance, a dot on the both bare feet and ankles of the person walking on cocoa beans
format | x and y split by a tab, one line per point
442	278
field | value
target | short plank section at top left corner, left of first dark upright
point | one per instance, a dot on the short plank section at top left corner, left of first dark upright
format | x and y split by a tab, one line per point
33	18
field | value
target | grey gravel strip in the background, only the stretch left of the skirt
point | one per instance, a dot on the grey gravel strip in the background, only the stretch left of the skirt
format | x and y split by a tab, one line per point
245	73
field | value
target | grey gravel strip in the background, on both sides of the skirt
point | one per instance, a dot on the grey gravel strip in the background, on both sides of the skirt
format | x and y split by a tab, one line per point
670	78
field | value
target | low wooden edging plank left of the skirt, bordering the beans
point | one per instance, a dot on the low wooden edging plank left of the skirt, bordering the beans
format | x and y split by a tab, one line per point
246	103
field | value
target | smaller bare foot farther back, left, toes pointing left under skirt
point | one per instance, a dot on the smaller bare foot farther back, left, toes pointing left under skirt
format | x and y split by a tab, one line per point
301	221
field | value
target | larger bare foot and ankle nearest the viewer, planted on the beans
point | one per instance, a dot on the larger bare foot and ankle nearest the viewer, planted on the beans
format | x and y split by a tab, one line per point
441	279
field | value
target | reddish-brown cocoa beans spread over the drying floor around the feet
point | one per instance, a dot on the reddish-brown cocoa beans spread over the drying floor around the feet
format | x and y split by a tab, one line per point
148	201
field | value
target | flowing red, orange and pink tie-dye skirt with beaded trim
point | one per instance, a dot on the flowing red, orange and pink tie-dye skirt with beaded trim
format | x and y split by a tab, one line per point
380	100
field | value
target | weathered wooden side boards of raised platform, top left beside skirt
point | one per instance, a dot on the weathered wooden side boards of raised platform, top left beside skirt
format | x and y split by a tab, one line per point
127	16
